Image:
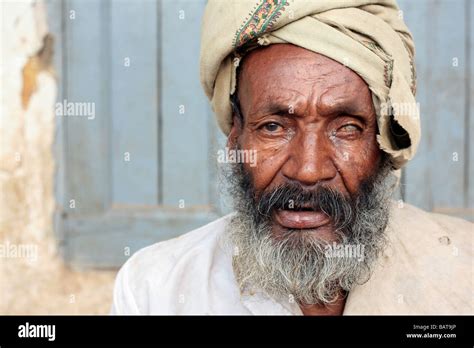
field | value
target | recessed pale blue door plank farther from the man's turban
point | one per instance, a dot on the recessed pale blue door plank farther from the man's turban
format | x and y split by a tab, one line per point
134	101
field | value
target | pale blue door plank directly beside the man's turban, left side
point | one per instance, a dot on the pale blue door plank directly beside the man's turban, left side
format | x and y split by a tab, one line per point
186	136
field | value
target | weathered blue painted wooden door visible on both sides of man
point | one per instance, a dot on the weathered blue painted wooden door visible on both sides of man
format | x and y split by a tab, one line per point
143	169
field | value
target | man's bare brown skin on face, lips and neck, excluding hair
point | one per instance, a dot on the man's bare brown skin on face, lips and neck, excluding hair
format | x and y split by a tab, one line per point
311	121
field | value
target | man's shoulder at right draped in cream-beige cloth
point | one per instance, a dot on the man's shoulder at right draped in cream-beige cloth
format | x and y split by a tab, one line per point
429	253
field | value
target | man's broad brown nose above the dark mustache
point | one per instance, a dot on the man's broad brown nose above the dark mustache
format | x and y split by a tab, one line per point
310	160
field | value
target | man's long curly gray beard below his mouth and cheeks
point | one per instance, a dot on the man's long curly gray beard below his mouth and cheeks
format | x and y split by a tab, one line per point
297	267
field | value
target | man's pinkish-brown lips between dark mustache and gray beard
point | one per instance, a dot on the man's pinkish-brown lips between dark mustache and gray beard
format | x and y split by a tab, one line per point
301	219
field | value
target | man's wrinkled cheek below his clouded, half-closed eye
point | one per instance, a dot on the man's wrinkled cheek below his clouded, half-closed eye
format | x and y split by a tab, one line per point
357	161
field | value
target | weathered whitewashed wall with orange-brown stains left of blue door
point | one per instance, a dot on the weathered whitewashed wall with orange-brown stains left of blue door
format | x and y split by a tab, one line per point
33	278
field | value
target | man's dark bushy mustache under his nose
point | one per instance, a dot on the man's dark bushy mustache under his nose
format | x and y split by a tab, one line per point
292	196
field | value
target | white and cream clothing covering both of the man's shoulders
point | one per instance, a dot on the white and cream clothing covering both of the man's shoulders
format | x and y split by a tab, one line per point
426	270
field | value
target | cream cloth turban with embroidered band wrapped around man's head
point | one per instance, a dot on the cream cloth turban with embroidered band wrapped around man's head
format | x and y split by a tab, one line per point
367	36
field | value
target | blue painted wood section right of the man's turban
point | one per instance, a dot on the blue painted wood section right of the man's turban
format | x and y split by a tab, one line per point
441	177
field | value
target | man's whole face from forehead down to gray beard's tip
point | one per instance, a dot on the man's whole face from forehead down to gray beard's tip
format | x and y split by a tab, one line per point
319	183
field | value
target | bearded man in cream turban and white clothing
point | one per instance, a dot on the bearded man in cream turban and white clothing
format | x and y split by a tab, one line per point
318	91
